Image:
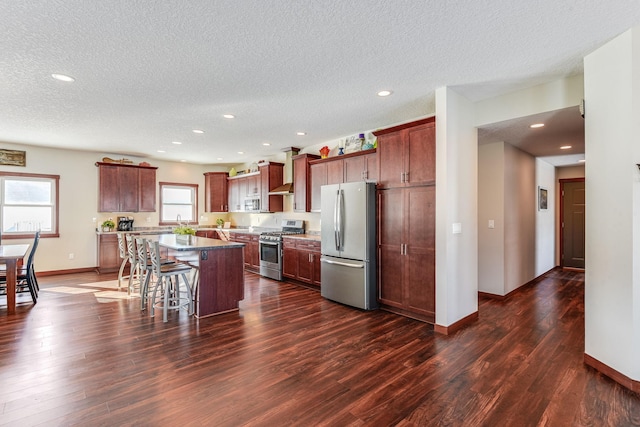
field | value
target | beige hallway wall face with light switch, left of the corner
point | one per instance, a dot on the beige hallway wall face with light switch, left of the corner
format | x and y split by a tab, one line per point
491	207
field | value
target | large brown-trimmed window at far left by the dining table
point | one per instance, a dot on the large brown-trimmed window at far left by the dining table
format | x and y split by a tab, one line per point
28	203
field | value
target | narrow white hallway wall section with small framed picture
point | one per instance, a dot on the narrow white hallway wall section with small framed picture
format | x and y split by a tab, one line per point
546	235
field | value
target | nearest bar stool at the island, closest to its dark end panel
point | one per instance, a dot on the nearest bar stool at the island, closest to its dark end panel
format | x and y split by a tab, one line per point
170	296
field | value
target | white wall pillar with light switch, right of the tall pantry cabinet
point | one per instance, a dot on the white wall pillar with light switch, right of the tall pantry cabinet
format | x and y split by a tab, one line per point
456	202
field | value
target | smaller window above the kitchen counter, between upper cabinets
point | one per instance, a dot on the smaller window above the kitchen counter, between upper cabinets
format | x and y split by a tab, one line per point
178	199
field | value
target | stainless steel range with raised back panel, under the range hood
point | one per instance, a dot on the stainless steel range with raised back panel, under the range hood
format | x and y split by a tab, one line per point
271	247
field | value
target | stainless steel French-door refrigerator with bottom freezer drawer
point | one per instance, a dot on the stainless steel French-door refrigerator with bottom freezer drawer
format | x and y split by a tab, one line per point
348	231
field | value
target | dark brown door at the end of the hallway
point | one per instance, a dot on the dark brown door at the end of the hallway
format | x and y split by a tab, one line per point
572	222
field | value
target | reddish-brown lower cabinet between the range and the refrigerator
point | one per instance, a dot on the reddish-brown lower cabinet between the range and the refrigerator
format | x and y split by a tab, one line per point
301	260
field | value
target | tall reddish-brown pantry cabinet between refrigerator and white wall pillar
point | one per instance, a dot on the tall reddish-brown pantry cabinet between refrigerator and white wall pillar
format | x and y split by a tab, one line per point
406	219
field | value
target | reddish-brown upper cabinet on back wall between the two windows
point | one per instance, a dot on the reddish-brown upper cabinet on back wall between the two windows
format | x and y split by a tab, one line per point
126	188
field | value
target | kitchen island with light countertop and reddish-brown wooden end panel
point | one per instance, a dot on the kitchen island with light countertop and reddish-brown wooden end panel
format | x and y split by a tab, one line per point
221	271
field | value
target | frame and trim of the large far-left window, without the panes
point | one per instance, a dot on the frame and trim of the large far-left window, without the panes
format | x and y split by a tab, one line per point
54	180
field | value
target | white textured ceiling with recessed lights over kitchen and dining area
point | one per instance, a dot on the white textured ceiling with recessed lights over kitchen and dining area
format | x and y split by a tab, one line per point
147	73
